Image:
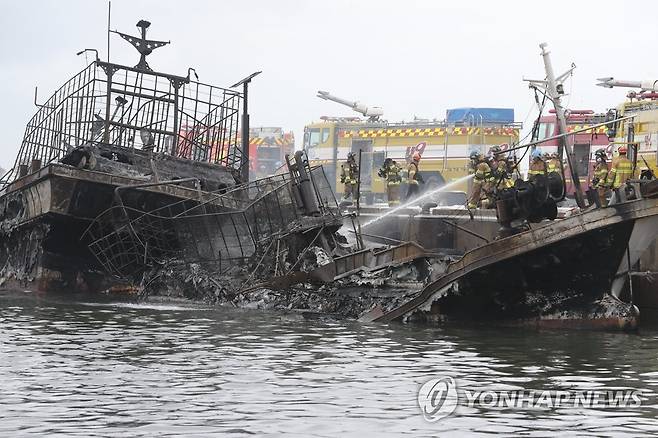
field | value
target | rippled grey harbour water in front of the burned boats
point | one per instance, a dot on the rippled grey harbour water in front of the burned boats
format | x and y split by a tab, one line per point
76	368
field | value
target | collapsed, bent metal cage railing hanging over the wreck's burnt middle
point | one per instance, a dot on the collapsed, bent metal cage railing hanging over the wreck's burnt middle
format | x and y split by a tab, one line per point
221	230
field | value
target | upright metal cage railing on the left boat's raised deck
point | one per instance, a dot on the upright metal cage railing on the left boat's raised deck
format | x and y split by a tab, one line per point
132	108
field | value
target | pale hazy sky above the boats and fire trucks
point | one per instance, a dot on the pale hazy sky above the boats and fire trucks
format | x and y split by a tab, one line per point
413	58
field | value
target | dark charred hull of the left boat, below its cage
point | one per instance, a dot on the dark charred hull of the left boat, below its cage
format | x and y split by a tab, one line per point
43	217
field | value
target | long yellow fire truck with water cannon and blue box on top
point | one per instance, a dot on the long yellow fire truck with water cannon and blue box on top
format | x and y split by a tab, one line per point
444	145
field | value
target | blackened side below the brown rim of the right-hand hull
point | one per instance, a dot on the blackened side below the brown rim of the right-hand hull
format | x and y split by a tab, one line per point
548	280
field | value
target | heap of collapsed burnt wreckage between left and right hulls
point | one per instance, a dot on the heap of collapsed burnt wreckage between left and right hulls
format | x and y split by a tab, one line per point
273	243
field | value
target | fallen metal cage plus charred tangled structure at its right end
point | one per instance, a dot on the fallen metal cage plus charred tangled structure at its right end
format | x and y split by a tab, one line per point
218	230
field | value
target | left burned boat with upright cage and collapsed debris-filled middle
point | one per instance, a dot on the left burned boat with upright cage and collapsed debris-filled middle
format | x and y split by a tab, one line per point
129	179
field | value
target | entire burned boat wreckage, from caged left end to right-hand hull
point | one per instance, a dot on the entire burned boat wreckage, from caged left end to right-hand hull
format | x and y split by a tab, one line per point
132	180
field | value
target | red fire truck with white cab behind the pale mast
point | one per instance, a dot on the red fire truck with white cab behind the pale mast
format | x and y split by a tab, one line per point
585	143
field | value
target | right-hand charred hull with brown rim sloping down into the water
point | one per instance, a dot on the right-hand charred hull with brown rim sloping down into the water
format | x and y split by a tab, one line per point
558	273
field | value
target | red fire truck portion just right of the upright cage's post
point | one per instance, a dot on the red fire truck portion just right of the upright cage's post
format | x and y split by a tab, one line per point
268	147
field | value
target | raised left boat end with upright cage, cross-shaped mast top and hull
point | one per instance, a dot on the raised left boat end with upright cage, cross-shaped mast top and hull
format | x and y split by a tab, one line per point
112	133
